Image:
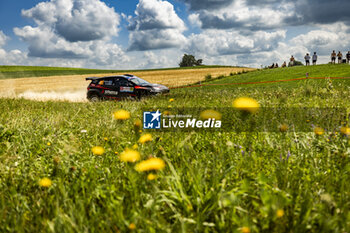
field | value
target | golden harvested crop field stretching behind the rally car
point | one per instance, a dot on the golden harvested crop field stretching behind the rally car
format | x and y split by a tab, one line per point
73	87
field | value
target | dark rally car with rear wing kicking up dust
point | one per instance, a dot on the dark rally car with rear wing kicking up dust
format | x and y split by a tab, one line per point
121	86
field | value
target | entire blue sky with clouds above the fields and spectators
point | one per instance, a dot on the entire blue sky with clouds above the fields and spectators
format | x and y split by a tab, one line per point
141	34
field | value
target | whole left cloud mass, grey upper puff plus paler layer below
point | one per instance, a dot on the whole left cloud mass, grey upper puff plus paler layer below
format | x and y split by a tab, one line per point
73	32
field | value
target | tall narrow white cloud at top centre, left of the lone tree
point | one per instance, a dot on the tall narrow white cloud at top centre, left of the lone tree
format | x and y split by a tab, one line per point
156	26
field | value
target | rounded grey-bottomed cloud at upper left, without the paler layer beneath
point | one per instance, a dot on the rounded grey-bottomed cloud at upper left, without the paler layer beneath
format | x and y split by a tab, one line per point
76	20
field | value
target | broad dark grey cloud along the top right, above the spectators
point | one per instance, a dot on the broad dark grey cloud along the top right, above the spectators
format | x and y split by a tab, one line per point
268	14
